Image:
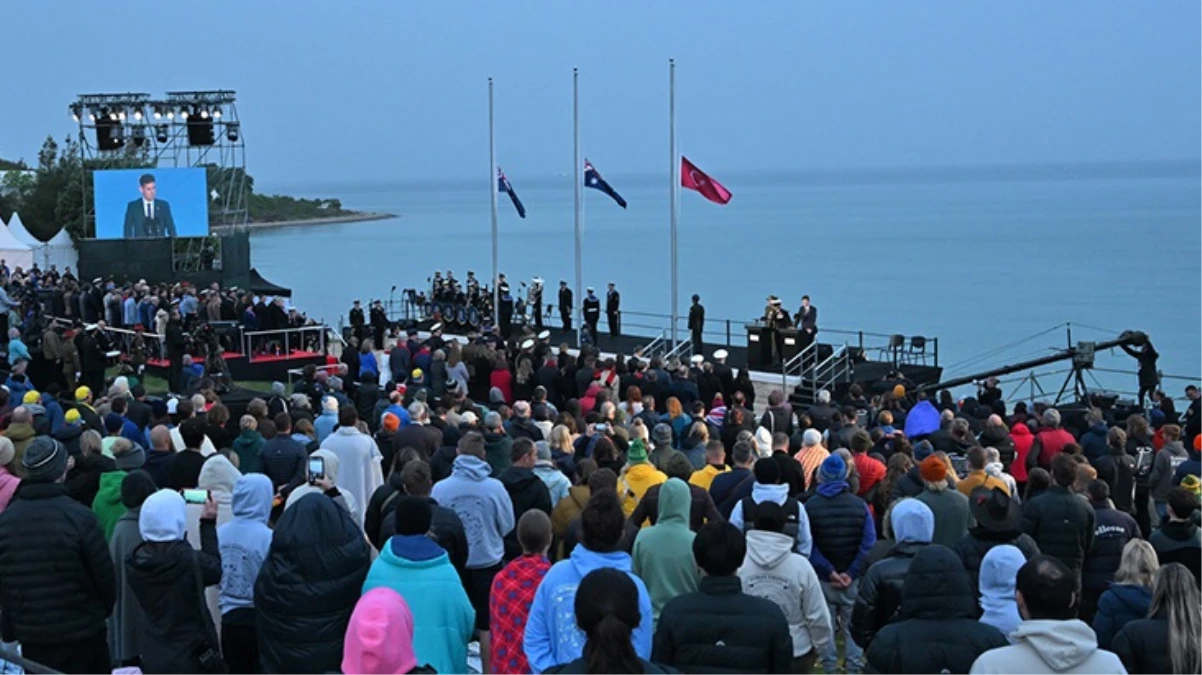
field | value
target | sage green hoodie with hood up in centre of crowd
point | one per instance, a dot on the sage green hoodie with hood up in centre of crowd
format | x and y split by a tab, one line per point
664	552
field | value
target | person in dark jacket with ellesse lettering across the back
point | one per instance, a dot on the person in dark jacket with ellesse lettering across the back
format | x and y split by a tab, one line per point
1114	530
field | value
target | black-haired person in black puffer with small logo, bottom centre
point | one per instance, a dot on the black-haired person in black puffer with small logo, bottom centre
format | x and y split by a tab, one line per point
755	635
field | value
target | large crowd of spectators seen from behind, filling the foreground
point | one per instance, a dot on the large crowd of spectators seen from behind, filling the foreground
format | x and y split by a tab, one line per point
574	513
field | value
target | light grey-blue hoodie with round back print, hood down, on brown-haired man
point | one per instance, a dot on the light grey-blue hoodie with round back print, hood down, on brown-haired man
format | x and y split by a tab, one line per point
484	506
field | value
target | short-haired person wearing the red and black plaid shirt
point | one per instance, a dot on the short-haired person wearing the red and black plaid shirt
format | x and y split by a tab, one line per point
513	595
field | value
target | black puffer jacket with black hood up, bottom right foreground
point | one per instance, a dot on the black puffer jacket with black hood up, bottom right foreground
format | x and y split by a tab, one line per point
937	631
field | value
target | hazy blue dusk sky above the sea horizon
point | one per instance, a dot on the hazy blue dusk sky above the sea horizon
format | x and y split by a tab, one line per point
353	91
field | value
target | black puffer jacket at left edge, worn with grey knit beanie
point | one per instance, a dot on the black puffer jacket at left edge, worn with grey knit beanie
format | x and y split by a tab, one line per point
56	575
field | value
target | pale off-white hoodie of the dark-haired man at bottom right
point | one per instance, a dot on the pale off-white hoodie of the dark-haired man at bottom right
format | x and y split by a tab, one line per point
1052	648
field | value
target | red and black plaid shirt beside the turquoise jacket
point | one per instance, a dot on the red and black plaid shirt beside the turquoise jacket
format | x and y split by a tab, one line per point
509	606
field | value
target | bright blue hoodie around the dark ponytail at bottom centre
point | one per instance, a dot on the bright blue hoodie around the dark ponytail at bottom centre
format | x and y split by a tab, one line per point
552	636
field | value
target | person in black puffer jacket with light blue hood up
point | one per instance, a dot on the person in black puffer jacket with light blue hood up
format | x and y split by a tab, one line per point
879	598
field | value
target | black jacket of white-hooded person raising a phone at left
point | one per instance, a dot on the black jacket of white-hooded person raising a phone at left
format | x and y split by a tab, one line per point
178	625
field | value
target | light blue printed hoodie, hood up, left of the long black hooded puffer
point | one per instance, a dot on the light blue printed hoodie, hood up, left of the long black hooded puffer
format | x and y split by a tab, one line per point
245	541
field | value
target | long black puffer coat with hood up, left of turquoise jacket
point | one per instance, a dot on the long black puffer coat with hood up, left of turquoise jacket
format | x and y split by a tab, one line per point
308	588
